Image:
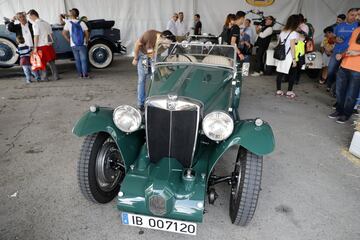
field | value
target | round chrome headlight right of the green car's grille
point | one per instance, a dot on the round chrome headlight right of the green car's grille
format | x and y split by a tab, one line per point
218	126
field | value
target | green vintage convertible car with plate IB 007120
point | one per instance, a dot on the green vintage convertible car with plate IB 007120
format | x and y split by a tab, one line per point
159	165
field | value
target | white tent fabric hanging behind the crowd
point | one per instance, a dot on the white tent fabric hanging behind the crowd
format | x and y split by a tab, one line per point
133	17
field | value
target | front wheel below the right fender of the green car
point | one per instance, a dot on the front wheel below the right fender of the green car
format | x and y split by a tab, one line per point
245	187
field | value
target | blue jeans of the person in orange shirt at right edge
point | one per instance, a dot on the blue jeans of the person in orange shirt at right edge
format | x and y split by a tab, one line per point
347	90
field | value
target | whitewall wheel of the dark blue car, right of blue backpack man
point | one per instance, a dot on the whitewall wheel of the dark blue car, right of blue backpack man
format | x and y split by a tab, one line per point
100	54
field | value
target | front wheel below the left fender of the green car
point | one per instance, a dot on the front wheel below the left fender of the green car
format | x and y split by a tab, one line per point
101	168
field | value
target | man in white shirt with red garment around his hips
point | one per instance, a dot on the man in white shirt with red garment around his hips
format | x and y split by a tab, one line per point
42	34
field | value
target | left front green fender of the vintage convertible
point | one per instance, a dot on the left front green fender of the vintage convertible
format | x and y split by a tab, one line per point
102	121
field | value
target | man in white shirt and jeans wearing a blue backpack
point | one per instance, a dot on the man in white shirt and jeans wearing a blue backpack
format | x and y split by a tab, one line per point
81	39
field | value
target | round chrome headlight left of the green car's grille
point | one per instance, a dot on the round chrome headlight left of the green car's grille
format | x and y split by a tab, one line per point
127	118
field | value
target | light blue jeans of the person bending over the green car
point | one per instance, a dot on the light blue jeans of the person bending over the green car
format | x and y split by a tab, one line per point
143	75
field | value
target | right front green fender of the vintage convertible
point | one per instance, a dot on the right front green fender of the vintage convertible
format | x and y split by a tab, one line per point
259	140
